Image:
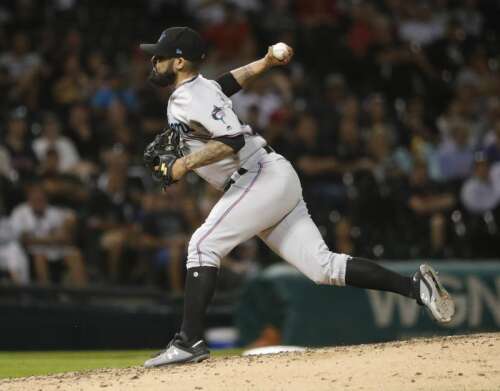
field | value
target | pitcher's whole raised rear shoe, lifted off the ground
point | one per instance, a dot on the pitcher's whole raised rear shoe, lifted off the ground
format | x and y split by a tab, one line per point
431	293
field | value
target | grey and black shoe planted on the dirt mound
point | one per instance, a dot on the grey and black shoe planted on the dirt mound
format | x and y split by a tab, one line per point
179	351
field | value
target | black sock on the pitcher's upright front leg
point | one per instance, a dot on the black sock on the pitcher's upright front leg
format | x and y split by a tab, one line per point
198	292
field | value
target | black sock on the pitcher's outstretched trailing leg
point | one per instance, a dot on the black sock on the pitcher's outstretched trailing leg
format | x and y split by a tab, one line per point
363	273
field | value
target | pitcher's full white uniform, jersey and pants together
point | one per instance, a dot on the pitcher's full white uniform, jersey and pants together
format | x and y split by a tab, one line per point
264	200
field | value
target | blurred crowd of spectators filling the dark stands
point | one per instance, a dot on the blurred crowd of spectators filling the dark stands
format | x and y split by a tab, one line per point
390	111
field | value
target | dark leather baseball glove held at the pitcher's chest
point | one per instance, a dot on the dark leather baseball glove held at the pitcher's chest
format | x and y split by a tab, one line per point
161	154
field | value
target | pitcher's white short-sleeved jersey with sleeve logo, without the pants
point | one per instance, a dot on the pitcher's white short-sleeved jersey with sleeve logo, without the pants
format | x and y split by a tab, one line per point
199	111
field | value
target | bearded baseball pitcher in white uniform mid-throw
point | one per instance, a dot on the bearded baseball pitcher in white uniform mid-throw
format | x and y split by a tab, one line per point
262	192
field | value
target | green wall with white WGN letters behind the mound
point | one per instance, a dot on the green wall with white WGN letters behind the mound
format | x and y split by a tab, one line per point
311	315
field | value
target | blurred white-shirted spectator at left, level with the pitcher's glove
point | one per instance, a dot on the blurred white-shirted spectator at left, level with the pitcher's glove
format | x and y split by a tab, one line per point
51	138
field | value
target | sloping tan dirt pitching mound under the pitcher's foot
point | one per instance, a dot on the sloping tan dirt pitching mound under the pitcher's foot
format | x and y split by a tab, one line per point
447	363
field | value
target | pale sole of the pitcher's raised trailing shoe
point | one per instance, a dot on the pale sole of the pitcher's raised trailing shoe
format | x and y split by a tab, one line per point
441	304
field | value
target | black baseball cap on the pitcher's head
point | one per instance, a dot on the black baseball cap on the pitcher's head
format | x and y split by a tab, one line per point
177	42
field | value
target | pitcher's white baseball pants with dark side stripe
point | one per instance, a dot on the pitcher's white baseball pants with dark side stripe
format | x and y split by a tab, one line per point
267	201
